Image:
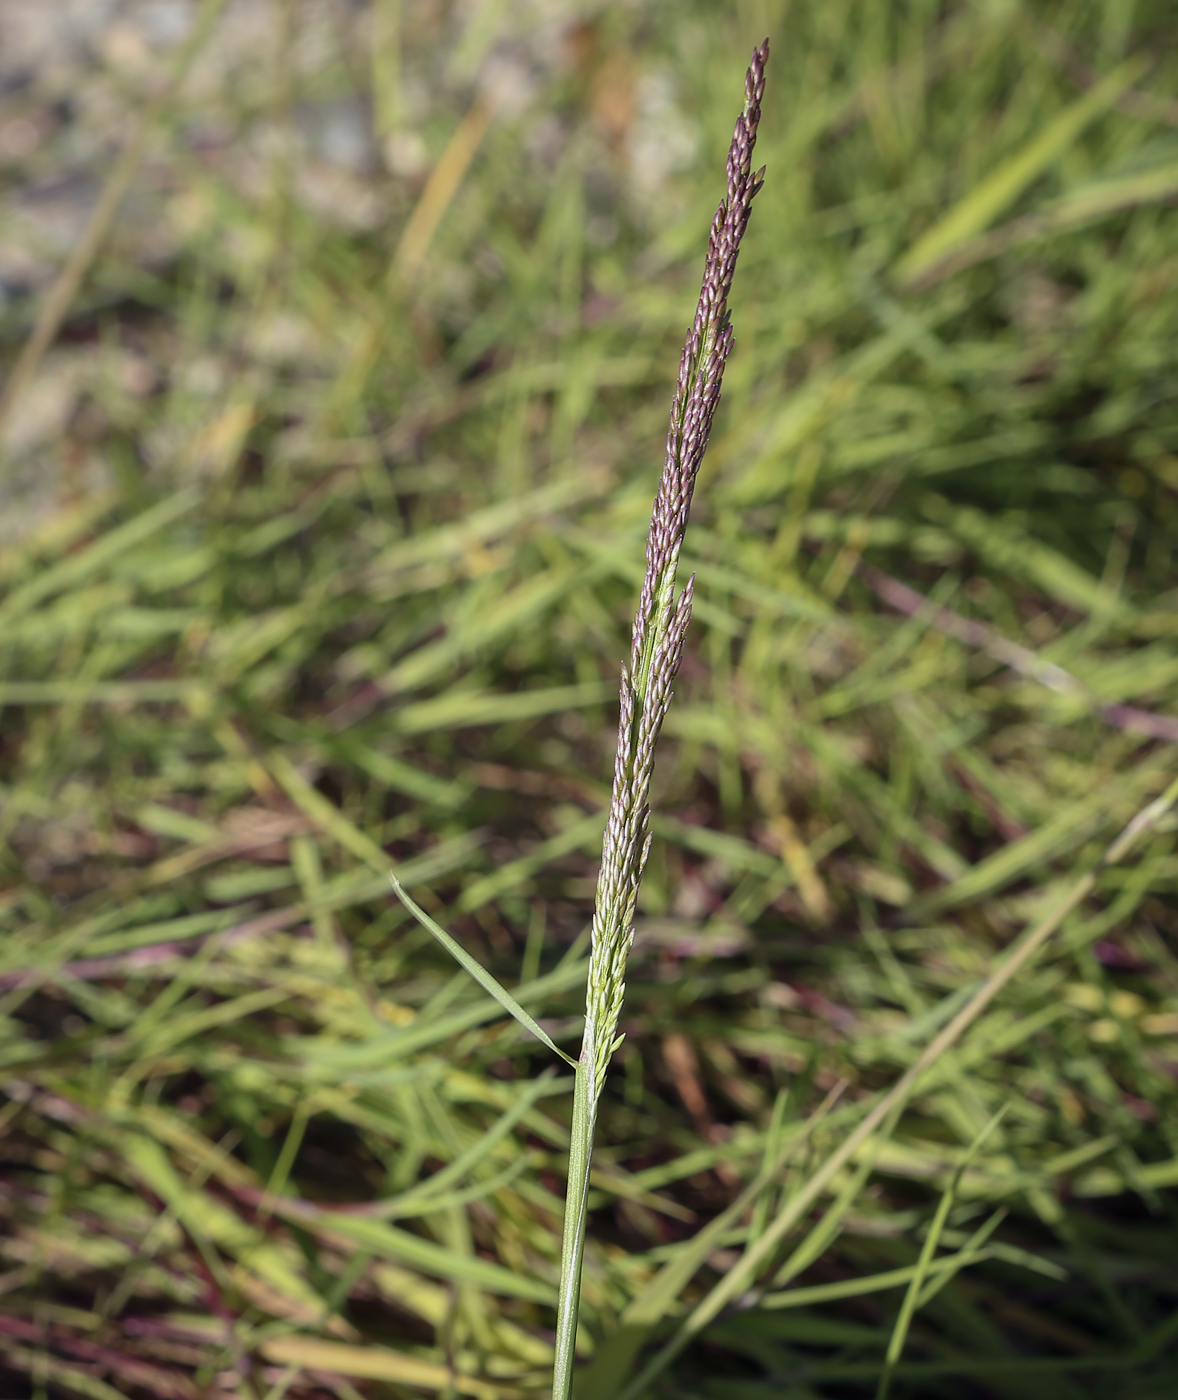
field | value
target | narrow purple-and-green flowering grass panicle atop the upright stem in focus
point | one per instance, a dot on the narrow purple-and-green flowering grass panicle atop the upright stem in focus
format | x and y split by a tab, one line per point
662	618
